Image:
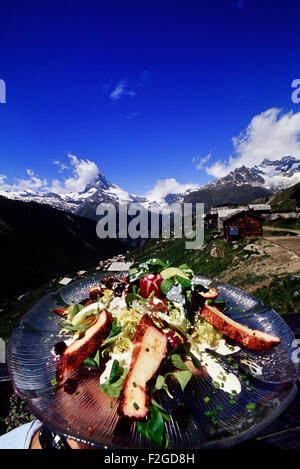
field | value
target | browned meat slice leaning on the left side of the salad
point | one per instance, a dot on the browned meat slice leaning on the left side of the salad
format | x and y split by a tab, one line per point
74	355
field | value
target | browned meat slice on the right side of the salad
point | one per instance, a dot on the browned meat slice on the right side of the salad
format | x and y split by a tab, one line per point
253	339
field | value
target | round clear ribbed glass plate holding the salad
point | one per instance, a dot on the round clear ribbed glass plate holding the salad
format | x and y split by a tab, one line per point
90	416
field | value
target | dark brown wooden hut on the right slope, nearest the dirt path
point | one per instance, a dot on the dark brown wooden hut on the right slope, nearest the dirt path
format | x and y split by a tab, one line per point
240	225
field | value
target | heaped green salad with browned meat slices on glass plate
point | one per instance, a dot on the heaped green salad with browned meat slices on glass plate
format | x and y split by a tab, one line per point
151	330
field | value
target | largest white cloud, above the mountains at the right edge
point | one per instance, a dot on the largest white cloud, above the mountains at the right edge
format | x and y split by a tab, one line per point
270	135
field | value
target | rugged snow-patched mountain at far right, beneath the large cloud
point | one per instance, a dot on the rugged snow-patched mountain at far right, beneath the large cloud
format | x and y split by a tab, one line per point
273	175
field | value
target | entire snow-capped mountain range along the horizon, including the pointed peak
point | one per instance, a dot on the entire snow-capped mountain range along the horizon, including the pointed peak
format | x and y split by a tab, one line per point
268	177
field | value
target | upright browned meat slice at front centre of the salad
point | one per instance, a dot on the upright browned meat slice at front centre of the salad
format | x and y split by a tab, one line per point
150	347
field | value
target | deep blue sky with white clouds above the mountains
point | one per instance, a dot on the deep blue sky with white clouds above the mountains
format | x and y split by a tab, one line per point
146	91
